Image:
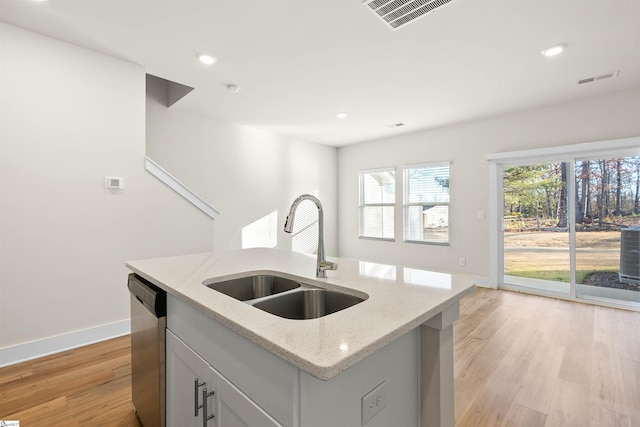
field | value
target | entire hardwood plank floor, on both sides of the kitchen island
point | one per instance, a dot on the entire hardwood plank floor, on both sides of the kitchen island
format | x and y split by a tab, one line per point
520	360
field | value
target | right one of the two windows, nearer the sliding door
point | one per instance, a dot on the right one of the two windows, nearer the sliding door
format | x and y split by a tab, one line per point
426	203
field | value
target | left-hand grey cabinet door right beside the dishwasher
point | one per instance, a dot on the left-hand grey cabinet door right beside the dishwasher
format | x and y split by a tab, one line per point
187	378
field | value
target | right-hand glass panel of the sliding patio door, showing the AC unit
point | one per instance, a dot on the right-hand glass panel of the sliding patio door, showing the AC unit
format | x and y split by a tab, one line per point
607	233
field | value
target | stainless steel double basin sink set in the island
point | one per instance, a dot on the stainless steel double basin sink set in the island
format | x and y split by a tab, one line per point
288	298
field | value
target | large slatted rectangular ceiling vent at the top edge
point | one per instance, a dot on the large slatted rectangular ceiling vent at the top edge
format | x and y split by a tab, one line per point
398	13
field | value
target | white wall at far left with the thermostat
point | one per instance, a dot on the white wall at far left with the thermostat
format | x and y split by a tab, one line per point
68	117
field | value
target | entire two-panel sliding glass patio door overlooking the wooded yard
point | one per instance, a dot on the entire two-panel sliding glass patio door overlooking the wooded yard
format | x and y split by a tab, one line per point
571	227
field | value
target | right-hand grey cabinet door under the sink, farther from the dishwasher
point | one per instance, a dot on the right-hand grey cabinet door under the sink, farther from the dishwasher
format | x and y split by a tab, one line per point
235	409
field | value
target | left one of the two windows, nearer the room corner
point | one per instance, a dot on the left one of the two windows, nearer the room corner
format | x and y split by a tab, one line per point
377	203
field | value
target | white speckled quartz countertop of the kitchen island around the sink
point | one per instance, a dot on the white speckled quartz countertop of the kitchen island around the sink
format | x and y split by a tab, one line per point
399	300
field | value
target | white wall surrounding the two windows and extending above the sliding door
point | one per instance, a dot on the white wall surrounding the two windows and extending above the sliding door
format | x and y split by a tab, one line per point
466	145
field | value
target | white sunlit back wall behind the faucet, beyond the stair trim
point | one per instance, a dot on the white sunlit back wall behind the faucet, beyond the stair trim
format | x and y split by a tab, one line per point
244	172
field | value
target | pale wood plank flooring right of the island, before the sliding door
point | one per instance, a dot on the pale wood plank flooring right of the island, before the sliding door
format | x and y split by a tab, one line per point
524	360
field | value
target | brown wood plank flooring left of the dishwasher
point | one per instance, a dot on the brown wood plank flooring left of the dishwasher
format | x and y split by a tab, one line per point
88	386
